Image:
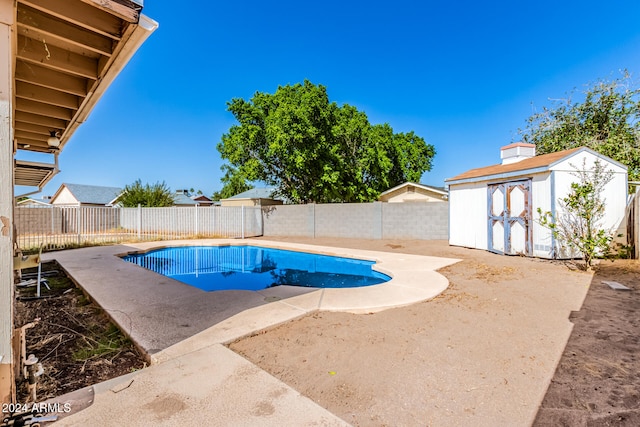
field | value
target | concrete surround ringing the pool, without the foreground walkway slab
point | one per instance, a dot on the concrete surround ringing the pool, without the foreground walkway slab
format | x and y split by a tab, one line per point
136	297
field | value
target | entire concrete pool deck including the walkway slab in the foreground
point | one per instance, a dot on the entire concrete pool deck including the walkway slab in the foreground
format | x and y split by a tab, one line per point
194	378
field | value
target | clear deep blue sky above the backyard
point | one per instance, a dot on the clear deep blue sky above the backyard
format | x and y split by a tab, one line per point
463	75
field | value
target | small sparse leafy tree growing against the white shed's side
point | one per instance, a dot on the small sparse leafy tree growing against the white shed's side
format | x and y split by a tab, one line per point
578	224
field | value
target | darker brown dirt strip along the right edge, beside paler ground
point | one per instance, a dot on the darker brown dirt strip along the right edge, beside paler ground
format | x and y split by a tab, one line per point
597	382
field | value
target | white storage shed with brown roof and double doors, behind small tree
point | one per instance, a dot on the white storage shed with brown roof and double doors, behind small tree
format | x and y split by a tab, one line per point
496	207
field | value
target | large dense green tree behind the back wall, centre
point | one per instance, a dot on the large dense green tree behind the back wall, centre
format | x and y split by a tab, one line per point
312	150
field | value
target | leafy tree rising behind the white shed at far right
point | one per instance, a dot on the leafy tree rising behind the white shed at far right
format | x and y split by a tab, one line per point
606	120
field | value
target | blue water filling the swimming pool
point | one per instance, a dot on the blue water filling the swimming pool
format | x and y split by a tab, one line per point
213	268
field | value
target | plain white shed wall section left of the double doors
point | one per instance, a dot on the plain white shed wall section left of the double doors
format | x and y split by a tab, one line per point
468	215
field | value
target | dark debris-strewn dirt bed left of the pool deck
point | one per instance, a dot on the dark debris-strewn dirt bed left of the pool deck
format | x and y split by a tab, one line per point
73	339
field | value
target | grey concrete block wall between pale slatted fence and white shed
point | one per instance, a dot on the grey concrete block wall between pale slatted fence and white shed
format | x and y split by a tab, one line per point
427	221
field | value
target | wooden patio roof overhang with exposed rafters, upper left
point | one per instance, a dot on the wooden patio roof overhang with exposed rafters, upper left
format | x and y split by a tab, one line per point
66	53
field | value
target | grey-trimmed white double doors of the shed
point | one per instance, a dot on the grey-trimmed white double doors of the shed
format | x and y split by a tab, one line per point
509	218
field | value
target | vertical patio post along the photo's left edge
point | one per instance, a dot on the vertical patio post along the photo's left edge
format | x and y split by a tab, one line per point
7	359
